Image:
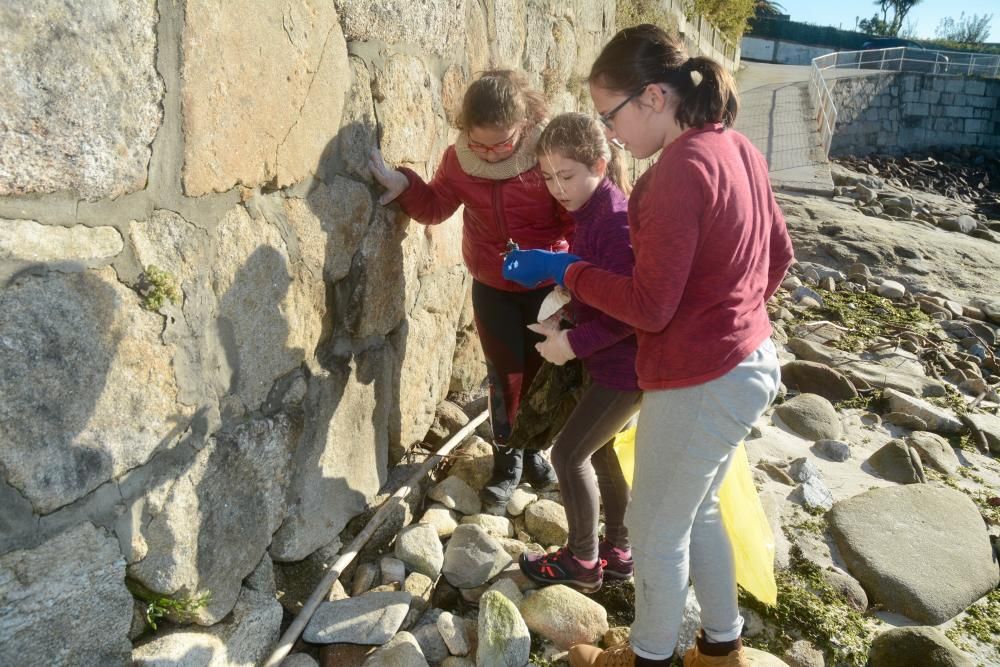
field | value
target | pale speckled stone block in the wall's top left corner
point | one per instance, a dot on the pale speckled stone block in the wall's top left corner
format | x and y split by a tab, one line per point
80	117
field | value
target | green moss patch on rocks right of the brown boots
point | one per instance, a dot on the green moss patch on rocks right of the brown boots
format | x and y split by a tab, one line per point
810	608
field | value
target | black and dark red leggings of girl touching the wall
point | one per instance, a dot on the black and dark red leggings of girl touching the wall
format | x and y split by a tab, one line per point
512	361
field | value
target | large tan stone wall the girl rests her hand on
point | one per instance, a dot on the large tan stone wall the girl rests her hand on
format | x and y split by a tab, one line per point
184	445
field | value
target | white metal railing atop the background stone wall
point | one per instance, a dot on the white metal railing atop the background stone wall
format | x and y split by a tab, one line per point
896	59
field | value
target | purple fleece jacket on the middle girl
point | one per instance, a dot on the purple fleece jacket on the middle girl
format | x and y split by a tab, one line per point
606	346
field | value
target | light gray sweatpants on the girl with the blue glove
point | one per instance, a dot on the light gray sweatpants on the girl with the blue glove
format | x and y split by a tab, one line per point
684	444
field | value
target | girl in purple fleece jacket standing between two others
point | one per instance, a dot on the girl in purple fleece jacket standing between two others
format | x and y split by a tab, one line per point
586	177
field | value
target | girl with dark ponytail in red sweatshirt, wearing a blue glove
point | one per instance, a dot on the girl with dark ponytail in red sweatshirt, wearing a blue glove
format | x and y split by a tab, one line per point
710	249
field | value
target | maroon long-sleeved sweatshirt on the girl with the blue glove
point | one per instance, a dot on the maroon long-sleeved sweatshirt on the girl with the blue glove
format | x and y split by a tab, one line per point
711	248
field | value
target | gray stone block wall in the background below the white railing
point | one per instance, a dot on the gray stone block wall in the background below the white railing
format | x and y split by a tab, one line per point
902	112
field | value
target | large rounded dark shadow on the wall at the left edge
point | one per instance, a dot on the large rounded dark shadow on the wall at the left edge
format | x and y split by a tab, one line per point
56	349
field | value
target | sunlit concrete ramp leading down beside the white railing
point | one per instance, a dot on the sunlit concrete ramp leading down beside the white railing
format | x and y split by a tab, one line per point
777	116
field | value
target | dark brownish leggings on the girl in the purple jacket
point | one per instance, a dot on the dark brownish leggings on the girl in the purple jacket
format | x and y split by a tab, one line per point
583	448
